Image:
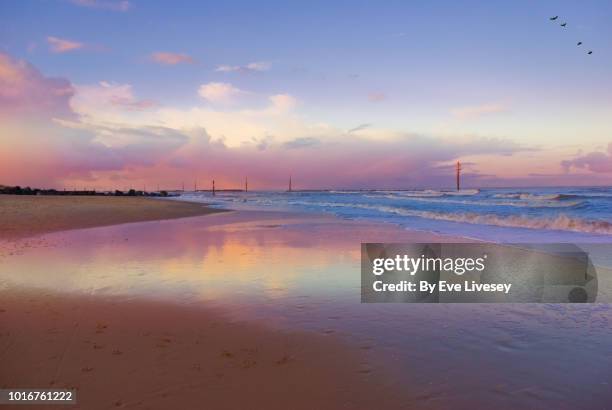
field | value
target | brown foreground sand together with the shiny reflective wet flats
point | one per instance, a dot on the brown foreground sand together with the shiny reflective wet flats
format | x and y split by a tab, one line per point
262	309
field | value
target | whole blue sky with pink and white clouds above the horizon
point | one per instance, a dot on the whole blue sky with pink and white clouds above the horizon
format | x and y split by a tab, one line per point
346	94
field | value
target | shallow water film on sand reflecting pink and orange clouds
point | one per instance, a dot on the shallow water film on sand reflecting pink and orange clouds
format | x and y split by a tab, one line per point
302	272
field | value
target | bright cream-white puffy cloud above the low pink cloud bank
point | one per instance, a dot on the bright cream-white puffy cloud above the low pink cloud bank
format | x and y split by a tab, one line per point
108	106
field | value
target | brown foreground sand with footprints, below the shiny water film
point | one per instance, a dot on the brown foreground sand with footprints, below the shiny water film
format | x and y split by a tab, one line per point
137	354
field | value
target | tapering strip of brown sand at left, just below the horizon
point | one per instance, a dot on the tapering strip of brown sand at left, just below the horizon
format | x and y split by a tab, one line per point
25	215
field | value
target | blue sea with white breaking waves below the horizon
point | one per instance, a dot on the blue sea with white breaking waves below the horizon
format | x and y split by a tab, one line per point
504	215
